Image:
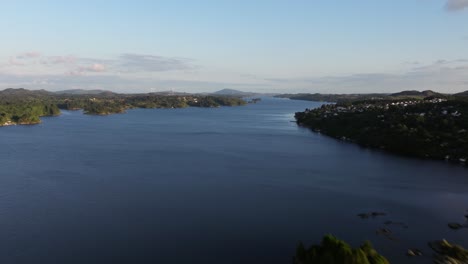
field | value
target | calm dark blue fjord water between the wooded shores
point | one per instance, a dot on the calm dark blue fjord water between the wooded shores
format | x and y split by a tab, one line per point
225	185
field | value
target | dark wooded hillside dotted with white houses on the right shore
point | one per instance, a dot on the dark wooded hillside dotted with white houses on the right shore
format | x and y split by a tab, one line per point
434	127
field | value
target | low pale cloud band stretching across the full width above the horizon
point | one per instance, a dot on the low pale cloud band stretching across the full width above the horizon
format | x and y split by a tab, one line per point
142	72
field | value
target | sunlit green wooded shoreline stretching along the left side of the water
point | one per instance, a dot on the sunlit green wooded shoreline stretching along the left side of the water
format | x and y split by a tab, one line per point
24	107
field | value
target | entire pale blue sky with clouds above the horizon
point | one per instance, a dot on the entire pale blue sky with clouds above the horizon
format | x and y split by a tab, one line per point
277	46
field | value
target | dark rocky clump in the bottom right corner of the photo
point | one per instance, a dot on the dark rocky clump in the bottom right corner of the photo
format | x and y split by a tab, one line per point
447	253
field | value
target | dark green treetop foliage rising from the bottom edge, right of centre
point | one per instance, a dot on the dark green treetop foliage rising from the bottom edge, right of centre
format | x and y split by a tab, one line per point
335	251
